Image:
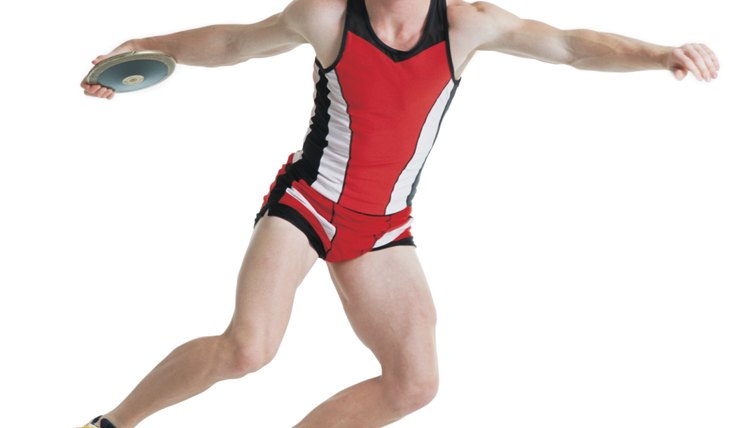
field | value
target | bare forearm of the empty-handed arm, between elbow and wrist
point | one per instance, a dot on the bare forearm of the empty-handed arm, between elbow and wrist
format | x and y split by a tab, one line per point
591	50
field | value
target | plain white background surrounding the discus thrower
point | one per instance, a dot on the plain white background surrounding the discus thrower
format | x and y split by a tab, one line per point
586	235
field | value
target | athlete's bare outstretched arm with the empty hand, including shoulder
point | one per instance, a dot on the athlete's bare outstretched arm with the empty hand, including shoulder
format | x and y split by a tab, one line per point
585	49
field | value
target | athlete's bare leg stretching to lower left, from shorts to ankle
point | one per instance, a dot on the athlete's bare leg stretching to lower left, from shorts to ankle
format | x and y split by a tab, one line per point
277	260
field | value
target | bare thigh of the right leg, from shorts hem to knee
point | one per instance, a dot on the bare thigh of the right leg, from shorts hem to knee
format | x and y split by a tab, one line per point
388	302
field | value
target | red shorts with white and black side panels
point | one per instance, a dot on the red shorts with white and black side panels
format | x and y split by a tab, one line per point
334	231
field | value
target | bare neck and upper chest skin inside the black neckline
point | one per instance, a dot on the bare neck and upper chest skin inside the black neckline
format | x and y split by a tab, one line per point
398	23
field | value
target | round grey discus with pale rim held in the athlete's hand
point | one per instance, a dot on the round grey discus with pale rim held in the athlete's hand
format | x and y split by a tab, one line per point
132	71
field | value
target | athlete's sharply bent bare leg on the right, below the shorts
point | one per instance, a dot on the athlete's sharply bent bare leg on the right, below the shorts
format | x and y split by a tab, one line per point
388	302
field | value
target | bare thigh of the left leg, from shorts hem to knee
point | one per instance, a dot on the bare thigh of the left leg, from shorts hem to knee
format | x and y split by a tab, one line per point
277	260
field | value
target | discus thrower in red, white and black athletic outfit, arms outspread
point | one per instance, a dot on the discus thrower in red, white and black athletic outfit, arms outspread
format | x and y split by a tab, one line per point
385	74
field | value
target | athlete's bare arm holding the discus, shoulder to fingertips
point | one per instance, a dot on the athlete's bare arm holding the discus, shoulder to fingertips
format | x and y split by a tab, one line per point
220	45
